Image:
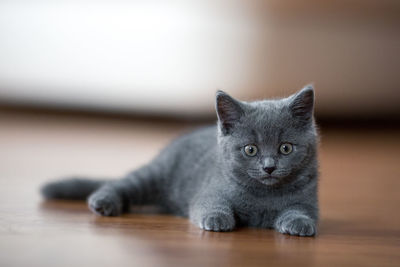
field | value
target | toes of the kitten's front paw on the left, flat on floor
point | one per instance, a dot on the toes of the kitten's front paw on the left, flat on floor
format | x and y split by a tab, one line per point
218	222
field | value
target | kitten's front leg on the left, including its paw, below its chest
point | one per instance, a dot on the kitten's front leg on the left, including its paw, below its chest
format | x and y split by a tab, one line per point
212	214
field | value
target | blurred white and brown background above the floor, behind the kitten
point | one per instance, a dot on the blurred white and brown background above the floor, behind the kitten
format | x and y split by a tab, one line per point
167	58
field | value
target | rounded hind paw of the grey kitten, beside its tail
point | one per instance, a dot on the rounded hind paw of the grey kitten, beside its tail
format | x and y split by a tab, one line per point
105	204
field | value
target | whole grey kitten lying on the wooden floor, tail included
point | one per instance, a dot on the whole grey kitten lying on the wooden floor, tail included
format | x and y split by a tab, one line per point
257	167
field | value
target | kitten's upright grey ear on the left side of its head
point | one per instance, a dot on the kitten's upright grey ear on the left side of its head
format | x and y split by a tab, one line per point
229	111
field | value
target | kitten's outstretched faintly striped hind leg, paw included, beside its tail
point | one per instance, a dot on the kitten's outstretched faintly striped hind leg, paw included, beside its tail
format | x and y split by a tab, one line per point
142	186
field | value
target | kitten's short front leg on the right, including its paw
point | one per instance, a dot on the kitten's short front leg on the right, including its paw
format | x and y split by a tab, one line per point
297	220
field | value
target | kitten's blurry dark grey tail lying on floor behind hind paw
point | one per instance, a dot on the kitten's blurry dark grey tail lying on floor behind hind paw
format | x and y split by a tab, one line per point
73	188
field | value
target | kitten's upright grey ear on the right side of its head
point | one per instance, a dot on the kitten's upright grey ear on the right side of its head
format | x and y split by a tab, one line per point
302	104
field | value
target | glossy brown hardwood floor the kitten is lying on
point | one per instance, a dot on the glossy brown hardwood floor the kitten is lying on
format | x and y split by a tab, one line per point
359	201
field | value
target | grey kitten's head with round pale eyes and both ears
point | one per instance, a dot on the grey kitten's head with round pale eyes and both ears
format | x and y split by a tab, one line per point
267	141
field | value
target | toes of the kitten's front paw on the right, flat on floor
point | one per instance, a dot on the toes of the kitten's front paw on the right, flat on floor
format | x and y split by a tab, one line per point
301	226
